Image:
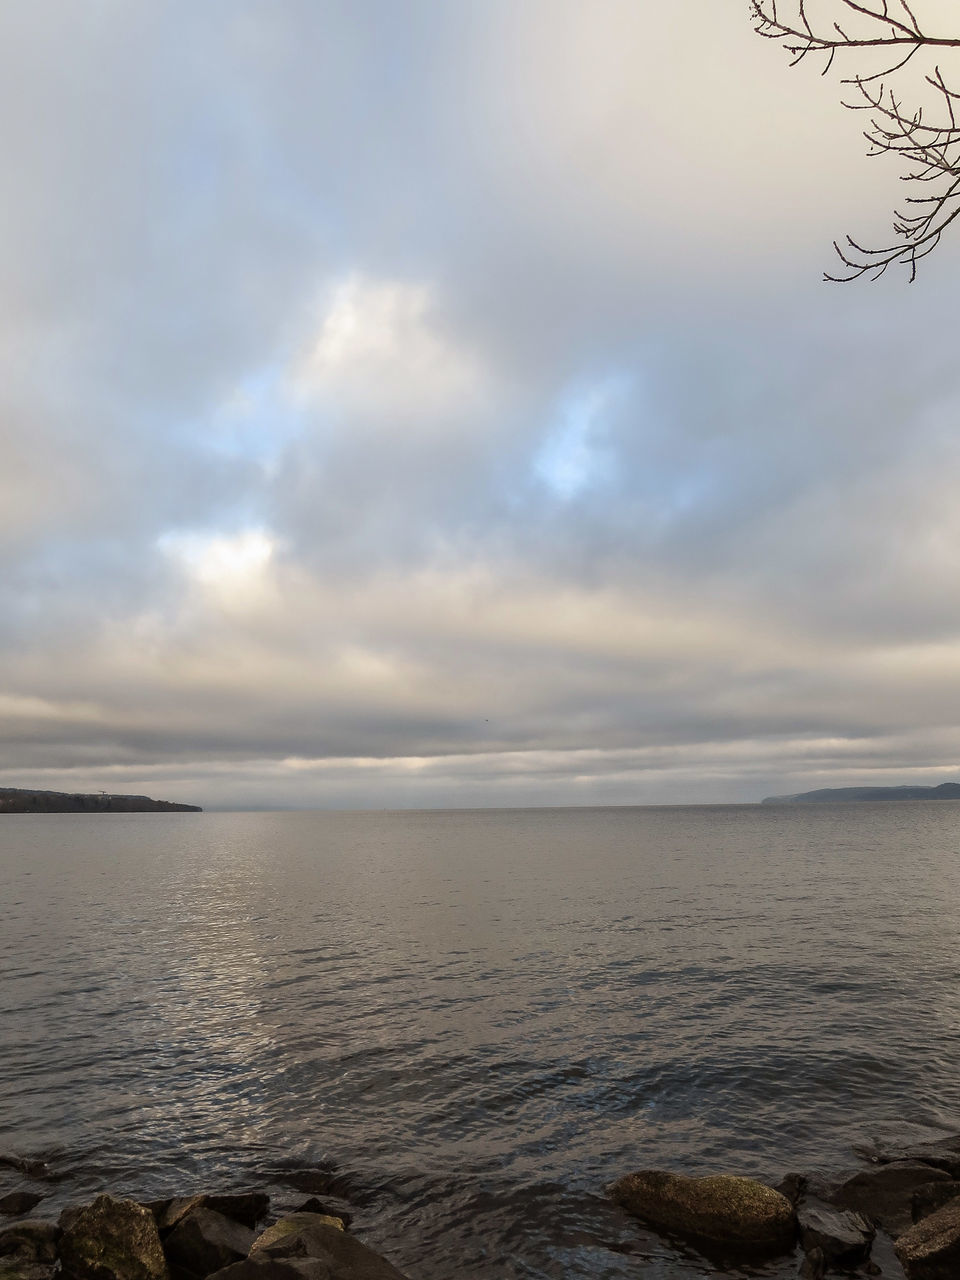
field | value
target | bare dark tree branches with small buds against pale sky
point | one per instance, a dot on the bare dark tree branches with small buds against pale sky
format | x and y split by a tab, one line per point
929	152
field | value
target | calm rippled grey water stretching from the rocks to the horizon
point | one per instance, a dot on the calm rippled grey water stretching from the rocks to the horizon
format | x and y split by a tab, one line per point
482	1018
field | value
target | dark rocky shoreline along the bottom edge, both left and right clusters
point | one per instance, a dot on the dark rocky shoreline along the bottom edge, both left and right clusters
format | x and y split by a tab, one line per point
898	1215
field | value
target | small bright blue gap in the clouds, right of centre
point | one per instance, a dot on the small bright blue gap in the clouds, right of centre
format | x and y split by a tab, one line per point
577	455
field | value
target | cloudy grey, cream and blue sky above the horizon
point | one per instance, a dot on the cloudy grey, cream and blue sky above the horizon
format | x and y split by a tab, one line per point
428	404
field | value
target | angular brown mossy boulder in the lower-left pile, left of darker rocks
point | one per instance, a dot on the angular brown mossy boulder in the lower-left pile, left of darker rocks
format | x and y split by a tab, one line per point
112	1240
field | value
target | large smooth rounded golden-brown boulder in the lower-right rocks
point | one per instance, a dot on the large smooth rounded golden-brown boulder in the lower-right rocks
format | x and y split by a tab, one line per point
732	1212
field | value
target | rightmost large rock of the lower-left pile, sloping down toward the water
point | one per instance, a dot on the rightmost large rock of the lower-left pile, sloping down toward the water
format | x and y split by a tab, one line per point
314	1238
